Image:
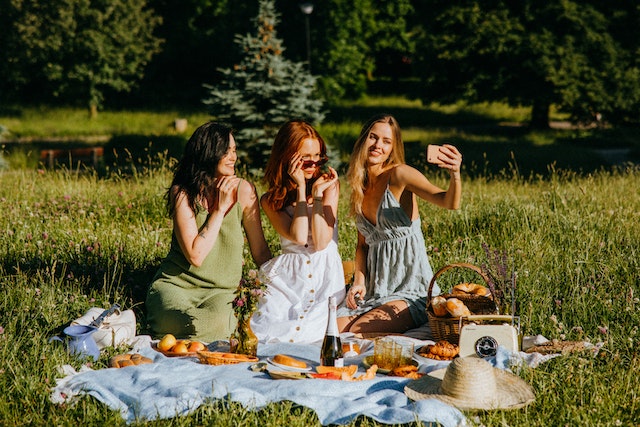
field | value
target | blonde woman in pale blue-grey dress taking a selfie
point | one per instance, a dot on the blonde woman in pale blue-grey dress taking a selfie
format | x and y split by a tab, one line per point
392	273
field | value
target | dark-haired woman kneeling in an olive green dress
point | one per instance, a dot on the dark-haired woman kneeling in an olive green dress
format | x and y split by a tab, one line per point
191	294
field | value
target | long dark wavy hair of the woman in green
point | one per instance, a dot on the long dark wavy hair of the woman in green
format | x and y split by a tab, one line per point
195	171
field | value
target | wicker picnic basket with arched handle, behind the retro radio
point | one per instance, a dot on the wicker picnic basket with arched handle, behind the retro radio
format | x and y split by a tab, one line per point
448	328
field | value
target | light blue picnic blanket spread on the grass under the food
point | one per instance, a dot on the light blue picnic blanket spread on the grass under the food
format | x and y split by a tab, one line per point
172	387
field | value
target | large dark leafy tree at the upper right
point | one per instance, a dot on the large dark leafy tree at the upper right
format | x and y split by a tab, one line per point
526	53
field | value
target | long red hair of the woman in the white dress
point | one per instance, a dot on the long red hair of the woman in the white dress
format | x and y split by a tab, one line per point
281	187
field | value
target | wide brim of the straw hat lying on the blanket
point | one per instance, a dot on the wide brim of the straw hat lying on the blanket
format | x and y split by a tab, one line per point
512	393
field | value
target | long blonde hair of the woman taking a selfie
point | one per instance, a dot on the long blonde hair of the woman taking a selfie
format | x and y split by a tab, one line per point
357	175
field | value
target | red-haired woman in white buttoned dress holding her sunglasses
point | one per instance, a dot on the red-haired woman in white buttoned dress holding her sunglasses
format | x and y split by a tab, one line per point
302	204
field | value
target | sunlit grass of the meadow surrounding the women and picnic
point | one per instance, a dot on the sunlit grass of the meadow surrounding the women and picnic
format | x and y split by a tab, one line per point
70	240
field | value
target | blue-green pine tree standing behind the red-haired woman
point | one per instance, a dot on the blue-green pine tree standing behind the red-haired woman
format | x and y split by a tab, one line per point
265	90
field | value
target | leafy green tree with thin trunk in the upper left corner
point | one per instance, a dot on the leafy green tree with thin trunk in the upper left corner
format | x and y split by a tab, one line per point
81	48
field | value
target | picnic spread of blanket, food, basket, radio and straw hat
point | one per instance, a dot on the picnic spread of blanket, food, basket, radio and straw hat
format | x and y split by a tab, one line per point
455	362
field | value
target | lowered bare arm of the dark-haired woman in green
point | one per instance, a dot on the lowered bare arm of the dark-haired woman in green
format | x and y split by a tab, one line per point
248	198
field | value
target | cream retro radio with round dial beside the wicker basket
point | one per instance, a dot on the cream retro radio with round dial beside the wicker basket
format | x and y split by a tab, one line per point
481	335
